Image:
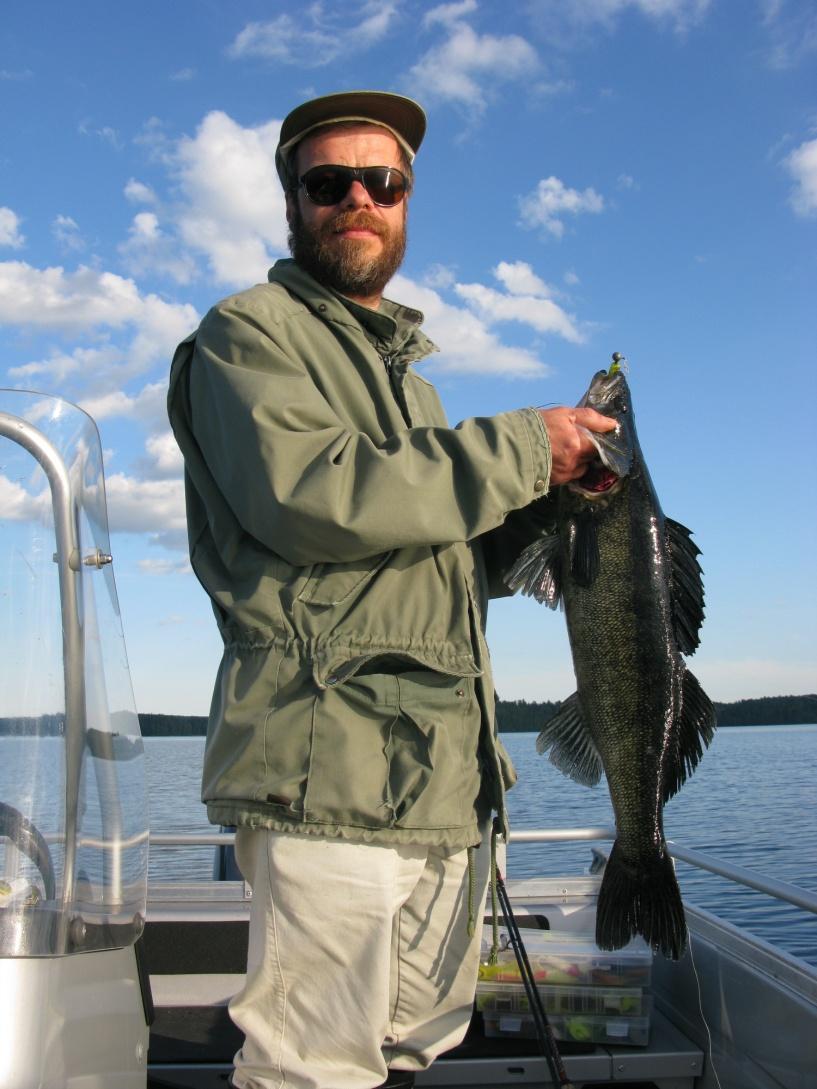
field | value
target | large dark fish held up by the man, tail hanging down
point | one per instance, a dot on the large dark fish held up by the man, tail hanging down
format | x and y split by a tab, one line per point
631	586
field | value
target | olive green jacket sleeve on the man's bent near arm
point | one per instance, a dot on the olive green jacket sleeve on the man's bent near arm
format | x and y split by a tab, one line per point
307	486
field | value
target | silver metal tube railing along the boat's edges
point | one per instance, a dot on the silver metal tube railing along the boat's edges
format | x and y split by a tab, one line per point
740	875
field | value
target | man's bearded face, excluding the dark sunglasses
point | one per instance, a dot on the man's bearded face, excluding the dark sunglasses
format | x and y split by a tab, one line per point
355	247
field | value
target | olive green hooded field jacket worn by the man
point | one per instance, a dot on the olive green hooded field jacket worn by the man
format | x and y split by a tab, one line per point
349	541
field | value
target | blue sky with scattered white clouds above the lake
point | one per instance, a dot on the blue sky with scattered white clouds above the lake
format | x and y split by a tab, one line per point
599	177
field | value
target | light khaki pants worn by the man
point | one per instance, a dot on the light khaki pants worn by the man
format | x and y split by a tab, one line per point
360	959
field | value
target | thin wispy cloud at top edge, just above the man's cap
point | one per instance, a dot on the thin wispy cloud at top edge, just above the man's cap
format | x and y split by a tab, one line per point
320	38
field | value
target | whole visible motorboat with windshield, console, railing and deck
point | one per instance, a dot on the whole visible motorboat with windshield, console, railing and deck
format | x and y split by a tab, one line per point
109	982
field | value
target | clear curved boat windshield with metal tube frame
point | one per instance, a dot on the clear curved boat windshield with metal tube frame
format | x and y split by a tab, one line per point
74	805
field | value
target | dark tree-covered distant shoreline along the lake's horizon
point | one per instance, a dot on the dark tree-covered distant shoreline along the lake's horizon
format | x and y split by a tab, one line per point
514	717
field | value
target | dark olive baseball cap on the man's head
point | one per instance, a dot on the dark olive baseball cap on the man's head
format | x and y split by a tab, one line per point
405	119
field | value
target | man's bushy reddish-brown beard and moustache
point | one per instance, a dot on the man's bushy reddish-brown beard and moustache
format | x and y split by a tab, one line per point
346	264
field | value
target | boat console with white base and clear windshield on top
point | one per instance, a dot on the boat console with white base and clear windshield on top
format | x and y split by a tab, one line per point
74	804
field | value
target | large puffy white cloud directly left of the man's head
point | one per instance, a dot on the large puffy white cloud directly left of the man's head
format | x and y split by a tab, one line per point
233	204
